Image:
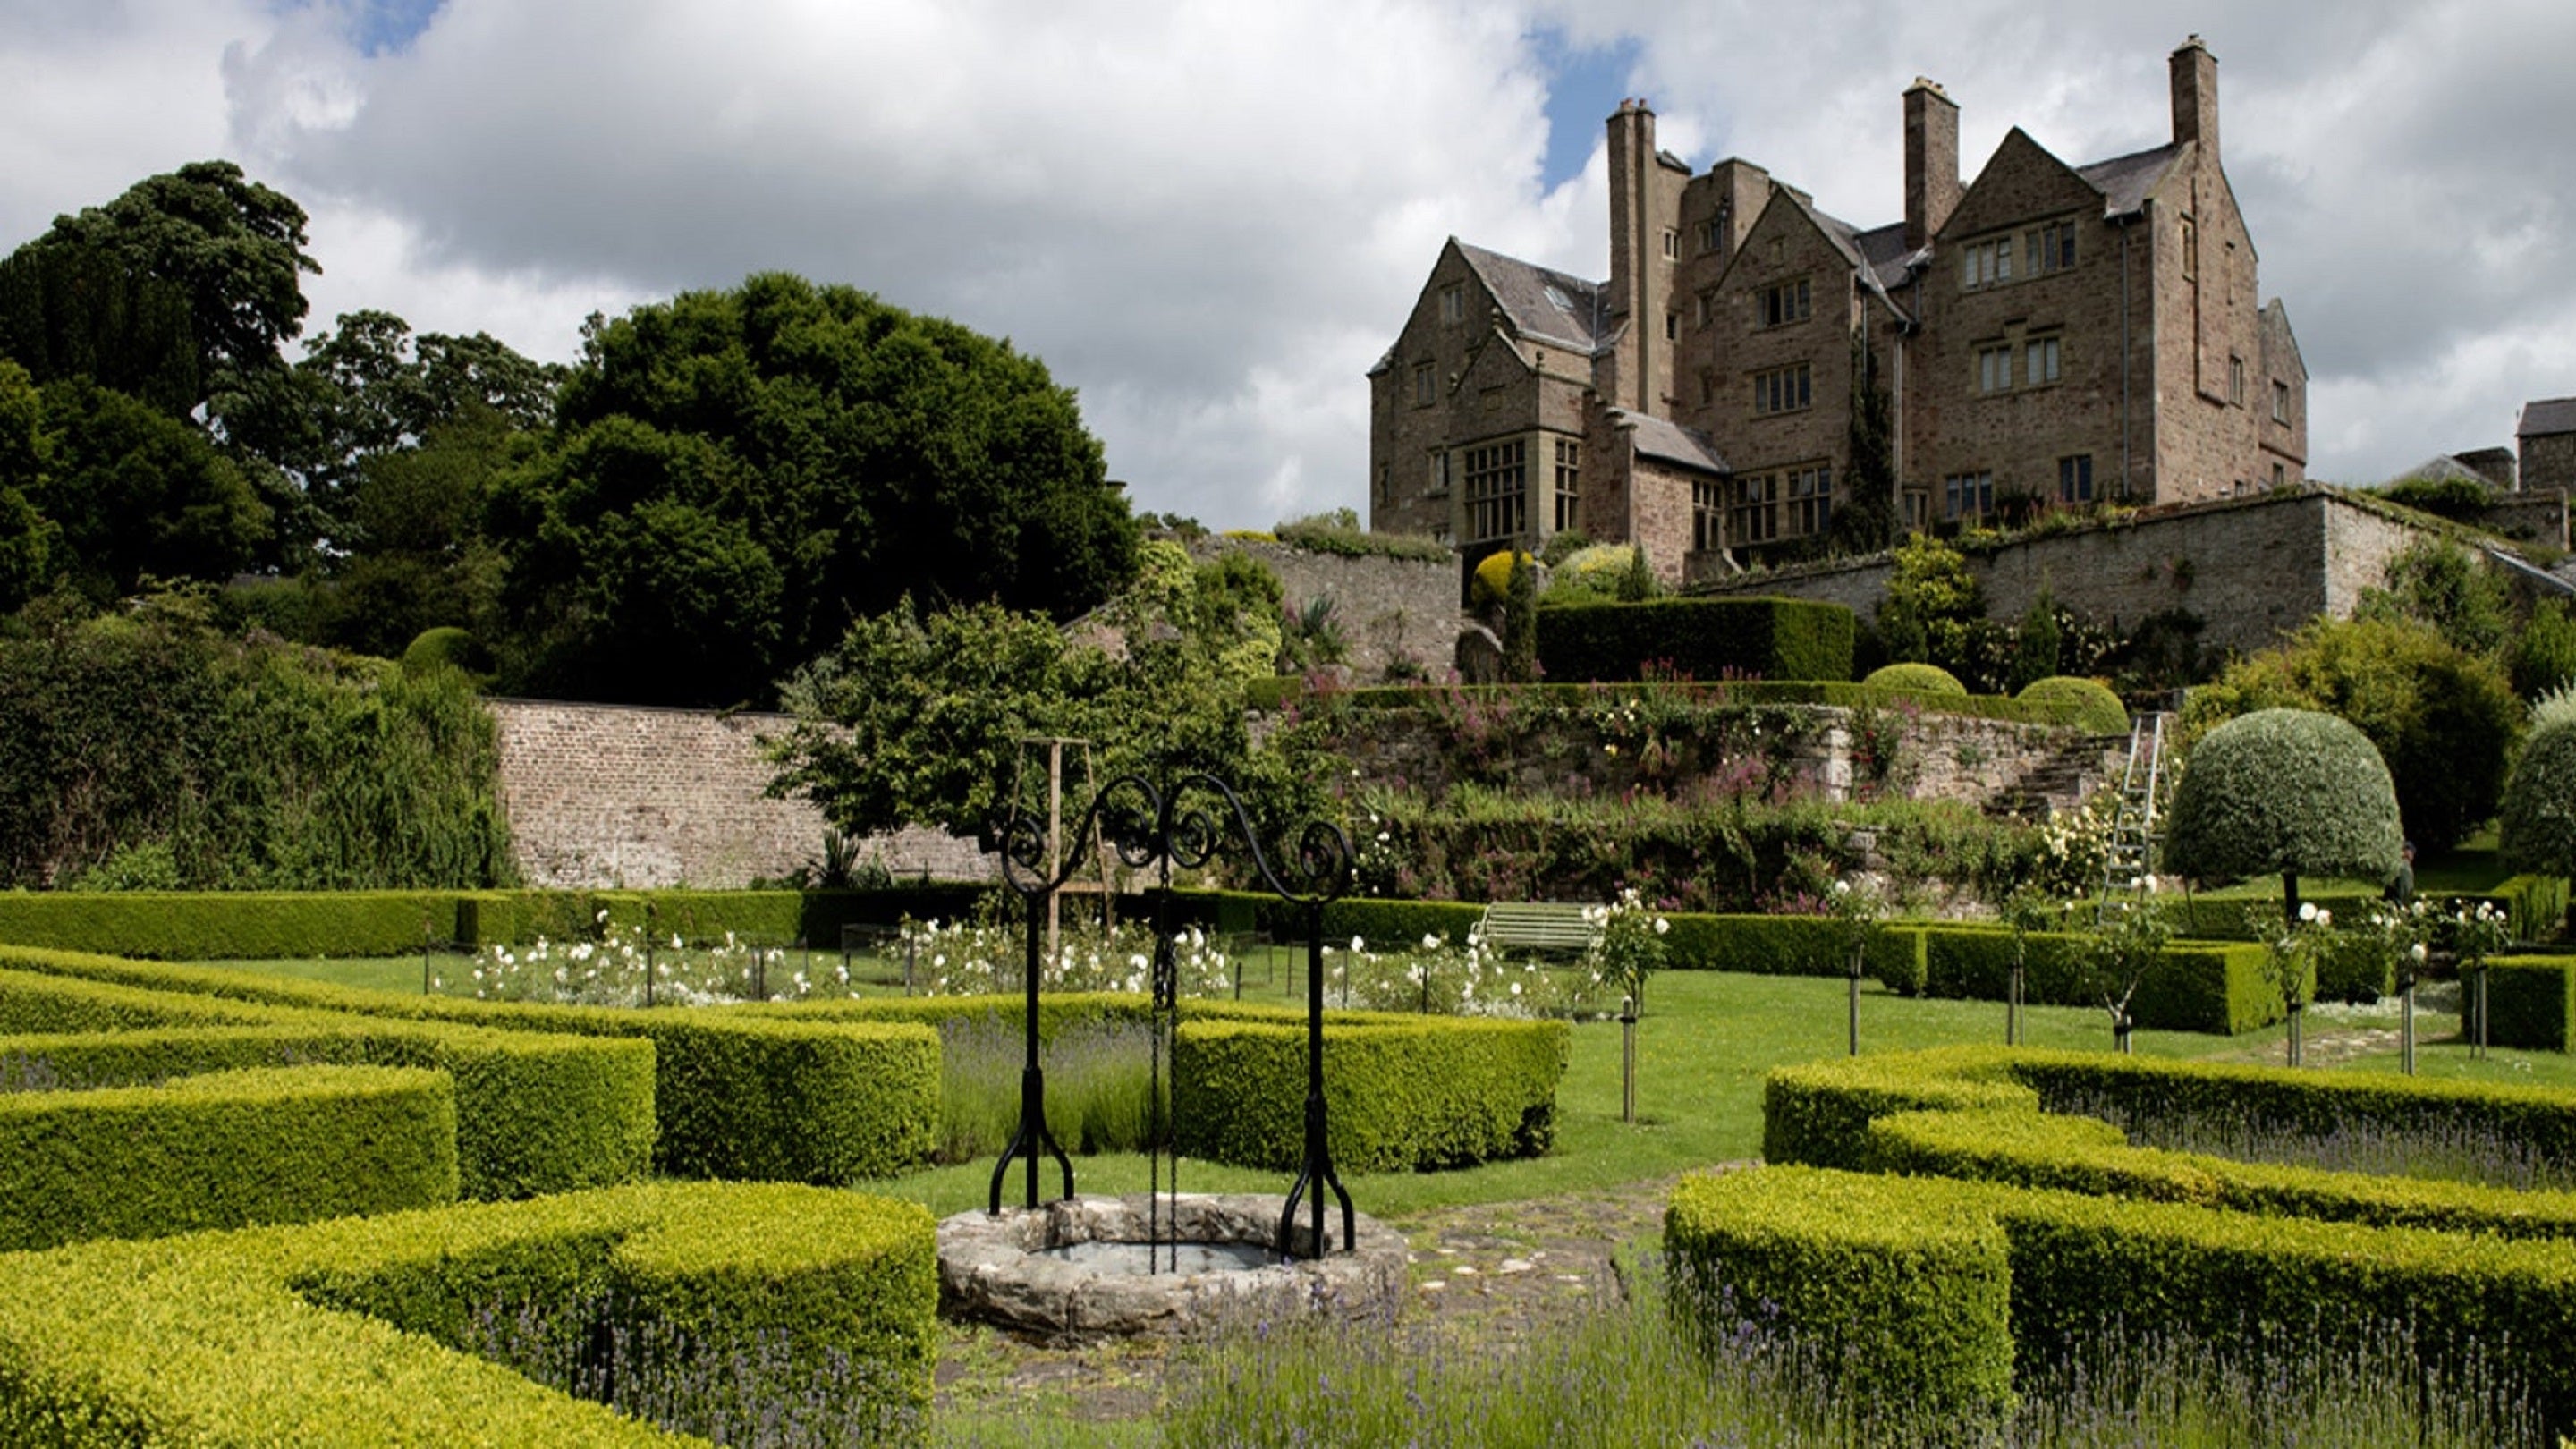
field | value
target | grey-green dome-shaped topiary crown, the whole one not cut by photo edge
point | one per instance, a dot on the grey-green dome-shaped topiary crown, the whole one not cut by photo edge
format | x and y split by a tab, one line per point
2284	793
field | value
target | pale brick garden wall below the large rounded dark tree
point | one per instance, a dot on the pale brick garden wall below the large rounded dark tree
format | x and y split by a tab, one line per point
614	795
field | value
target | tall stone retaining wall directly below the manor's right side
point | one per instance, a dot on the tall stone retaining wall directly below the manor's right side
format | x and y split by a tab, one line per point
2250	569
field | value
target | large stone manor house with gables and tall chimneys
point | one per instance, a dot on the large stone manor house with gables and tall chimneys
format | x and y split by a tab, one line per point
2049	331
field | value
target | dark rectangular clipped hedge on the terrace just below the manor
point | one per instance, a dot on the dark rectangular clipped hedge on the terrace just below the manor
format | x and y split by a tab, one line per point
1699	638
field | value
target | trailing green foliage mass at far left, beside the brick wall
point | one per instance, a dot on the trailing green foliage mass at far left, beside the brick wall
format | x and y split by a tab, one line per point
254	764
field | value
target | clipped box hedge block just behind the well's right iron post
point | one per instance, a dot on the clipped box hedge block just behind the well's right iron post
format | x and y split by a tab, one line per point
1400	1092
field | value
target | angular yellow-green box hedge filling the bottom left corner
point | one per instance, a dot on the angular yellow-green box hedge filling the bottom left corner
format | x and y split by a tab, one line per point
751	1303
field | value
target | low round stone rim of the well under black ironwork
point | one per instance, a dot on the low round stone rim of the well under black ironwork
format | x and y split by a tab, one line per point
1078	1270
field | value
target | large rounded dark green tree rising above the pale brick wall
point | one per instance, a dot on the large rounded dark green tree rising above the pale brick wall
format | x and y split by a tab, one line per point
735	476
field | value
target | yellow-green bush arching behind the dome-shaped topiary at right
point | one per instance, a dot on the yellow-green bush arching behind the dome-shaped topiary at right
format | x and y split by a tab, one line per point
2441	718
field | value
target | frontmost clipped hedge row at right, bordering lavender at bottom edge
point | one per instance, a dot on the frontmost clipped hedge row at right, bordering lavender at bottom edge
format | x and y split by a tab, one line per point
1900	1278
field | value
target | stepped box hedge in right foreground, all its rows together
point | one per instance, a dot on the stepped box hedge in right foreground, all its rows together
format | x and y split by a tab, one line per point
1895	1278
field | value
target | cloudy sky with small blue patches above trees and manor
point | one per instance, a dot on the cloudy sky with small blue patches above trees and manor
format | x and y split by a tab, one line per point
1212	218
